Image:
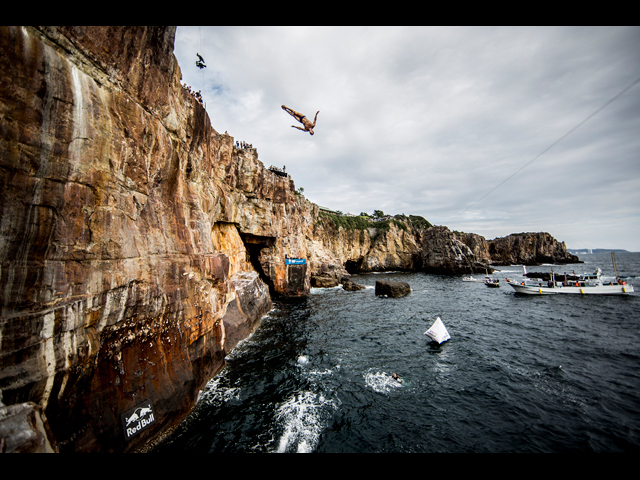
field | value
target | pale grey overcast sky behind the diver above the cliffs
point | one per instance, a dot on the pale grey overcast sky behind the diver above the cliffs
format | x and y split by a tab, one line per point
470	127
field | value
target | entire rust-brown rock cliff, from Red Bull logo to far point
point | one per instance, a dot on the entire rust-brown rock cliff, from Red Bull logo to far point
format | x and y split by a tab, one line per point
138	246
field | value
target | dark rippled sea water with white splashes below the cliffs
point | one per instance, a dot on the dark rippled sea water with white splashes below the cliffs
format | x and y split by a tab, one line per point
519	374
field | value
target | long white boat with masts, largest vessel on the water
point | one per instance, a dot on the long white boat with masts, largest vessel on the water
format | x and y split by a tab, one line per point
587	284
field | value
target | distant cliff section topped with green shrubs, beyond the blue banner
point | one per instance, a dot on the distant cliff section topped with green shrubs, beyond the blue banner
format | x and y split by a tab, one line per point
337	248
